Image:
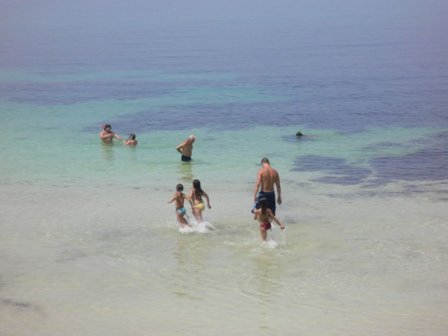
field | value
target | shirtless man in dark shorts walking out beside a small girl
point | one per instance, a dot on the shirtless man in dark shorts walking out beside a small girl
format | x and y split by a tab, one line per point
267	178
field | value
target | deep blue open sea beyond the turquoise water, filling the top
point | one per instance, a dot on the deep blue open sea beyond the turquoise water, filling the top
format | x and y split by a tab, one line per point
334	78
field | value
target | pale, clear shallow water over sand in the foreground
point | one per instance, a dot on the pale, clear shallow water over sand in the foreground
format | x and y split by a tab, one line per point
364	265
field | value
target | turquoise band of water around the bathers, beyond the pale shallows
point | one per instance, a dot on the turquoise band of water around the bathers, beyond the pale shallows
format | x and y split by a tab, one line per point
55	141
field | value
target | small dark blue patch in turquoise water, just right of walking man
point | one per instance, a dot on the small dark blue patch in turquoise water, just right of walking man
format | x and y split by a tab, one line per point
338	170
